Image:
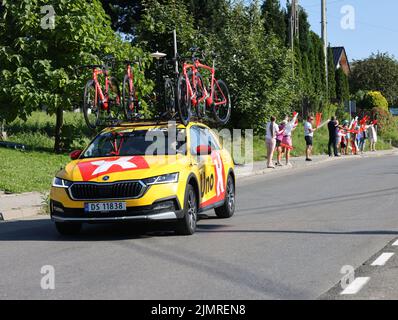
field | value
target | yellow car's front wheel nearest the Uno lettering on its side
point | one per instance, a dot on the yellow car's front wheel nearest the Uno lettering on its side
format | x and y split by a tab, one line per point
187	225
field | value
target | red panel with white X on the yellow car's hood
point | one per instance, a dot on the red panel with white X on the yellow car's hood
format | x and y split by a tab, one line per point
92	169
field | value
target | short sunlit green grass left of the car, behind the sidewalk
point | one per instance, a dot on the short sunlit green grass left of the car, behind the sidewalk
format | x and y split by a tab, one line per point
28	171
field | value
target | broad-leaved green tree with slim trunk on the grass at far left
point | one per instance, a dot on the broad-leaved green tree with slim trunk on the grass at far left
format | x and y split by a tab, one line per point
38	62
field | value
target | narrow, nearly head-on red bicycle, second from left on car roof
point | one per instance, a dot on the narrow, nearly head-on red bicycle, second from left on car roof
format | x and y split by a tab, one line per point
129	94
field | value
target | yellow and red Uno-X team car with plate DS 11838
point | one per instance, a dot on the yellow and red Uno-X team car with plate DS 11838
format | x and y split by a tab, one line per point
145	171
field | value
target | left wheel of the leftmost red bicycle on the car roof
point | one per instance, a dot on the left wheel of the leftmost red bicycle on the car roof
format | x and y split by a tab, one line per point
91	105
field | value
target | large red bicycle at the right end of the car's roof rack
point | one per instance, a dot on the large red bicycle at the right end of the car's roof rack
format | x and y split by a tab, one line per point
192	91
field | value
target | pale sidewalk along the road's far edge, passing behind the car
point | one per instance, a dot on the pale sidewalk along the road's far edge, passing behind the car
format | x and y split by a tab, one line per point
17	206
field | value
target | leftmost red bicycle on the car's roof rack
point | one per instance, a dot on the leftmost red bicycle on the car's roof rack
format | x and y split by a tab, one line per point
100	106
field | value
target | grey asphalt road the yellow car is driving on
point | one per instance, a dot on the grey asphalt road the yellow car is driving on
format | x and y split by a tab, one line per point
291	235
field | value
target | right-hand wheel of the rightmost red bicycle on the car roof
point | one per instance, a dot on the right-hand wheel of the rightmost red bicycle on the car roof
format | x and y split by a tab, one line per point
221	102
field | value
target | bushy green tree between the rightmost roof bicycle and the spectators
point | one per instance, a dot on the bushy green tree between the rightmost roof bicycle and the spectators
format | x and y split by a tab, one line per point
257	69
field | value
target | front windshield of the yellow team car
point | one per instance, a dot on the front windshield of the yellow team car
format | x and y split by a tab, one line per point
138	142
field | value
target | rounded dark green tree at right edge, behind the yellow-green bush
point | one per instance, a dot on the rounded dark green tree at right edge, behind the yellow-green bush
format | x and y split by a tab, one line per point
379	72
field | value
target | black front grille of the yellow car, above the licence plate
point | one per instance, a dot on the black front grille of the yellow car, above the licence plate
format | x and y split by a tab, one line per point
96	191
